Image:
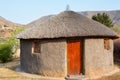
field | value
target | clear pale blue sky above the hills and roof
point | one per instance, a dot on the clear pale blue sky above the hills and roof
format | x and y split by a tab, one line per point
25	11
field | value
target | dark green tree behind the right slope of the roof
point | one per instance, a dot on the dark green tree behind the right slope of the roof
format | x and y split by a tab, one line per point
104	19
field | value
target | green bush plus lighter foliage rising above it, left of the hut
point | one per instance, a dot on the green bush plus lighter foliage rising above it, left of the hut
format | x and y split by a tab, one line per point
9	47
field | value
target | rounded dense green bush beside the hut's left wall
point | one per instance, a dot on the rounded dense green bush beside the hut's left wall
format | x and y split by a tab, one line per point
7	49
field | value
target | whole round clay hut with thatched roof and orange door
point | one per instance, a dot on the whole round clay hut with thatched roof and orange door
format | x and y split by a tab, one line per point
67	44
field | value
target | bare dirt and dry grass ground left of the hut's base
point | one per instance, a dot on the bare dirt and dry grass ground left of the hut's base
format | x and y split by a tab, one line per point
8	72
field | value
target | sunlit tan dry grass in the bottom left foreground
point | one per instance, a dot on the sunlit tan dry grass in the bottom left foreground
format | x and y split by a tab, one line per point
8	74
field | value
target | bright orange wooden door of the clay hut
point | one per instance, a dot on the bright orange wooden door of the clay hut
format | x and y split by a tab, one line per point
74	54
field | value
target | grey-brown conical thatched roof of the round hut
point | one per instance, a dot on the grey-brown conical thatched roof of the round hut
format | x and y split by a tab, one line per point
67	24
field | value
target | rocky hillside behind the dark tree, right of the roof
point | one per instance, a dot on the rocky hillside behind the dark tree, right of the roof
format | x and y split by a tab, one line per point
114	15
